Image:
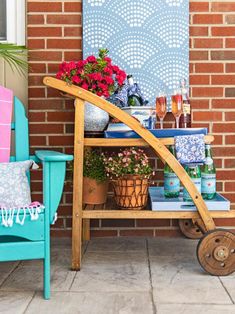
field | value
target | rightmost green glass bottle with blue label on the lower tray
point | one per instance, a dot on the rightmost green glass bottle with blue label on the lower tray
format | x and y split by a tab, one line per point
208	176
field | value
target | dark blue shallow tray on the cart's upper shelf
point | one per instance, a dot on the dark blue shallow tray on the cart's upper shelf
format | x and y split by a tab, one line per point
160	133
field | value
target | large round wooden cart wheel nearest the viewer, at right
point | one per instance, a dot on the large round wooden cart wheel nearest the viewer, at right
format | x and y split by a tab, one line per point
216	252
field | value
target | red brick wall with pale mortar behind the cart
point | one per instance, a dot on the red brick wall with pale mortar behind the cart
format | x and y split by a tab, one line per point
55	34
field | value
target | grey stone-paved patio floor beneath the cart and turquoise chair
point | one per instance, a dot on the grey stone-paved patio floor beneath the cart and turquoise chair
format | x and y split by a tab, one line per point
119	275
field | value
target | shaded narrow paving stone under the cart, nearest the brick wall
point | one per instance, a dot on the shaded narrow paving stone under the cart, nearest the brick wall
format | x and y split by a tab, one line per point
117	245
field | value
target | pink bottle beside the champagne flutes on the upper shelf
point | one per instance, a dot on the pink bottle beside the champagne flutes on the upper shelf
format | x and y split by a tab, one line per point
185	118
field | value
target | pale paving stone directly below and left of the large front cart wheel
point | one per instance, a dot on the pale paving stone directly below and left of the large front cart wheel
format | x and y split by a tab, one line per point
176	280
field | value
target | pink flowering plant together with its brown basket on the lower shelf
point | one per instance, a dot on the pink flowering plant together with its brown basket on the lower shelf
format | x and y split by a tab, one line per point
129	172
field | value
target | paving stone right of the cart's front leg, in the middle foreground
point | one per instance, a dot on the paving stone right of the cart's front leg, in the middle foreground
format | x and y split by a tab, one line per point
113	272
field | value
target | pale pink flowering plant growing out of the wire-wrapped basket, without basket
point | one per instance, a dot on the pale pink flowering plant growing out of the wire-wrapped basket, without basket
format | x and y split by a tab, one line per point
128	161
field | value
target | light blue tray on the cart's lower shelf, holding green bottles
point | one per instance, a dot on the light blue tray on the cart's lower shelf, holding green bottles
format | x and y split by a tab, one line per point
160	203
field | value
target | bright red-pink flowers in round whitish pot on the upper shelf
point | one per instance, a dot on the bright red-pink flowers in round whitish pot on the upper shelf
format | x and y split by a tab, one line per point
97	75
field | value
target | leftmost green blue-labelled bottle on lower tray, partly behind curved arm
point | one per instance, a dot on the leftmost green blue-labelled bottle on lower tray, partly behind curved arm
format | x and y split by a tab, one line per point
171	181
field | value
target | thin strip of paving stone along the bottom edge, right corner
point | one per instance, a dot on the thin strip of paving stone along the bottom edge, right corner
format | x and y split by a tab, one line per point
195	309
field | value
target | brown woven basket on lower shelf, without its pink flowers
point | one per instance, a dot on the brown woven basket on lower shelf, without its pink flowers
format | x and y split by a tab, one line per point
131	192
